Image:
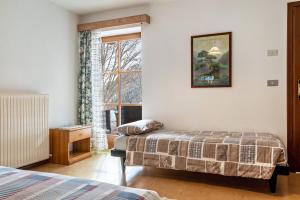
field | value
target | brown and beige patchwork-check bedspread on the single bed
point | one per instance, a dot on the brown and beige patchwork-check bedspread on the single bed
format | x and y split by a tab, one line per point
252	155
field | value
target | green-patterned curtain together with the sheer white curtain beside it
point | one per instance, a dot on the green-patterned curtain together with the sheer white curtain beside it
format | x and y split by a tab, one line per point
90	106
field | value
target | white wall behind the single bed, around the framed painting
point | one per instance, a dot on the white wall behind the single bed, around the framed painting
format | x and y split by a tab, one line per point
257	25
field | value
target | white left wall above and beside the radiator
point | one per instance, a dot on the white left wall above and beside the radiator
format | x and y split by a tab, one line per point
38	53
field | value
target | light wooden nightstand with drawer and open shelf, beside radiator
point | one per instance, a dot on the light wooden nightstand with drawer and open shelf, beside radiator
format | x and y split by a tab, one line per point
70	144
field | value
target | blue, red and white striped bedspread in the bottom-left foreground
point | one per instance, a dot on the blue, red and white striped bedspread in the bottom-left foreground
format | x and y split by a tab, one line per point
19	184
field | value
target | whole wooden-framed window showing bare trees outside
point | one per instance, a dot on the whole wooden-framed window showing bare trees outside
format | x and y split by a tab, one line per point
122	75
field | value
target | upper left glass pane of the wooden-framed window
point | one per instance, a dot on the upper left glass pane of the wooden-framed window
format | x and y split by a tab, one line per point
109	57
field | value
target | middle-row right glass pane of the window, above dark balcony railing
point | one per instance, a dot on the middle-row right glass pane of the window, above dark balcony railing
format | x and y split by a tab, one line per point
131	87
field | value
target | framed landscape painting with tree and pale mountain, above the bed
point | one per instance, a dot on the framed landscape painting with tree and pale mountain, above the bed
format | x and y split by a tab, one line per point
211	60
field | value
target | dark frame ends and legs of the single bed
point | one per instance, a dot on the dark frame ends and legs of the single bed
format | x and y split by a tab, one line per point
279	170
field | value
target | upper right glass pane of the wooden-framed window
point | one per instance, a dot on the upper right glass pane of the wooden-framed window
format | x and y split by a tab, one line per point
130	52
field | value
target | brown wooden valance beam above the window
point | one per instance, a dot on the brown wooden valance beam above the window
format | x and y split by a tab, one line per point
114	22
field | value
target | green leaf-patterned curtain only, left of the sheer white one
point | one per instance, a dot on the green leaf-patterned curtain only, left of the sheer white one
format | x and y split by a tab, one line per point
85	79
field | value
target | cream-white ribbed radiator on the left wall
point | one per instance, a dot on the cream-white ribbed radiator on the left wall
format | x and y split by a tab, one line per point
24	133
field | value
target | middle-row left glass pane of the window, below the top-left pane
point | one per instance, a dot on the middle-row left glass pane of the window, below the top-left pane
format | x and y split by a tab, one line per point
110	89
